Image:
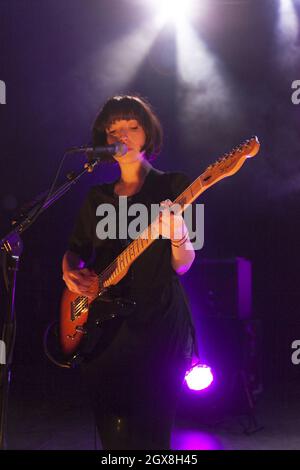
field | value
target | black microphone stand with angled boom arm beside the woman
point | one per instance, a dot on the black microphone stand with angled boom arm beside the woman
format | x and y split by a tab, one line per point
12	246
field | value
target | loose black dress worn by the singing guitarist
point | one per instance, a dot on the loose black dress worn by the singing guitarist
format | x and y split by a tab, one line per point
134	383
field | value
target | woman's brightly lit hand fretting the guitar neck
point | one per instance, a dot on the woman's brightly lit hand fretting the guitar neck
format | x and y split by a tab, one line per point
171	225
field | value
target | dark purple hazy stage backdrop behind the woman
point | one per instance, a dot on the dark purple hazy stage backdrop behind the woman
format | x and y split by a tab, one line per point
58	72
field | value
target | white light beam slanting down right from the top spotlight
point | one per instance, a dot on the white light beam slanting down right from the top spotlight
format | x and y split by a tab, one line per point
204	88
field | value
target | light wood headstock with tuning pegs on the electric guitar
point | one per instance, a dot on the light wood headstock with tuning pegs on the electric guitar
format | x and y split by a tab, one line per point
231	162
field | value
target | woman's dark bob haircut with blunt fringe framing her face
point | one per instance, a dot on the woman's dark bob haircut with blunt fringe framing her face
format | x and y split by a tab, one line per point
129	107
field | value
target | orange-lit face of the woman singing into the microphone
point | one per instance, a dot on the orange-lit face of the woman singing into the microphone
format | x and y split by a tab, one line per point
128	132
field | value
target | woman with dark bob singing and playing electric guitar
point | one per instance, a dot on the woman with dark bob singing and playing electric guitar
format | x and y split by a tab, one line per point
134	382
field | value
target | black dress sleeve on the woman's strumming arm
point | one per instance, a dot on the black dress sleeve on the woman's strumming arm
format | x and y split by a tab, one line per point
81	239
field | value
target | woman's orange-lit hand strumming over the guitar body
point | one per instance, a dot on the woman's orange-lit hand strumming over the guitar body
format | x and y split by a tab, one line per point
82	281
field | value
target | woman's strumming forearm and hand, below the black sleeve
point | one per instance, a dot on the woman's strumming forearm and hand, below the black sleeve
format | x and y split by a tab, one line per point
77	277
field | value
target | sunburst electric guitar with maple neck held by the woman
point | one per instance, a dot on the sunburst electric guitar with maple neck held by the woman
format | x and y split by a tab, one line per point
79	318
